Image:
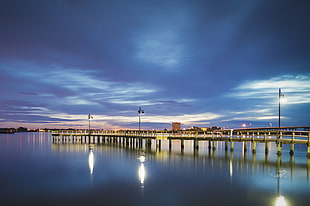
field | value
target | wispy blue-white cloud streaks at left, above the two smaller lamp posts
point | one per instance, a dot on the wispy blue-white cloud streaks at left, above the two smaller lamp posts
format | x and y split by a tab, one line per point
76	86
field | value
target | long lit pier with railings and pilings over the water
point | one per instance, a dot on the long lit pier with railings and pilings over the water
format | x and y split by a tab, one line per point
229	137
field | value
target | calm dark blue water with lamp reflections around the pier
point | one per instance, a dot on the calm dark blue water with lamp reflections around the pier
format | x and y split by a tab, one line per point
34	171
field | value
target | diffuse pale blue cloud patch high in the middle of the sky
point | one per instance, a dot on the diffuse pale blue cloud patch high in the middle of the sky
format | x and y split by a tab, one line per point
162	42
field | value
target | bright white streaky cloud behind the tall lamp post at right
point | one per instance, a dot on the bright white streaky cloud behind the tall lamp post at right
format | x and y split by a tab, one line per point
258	100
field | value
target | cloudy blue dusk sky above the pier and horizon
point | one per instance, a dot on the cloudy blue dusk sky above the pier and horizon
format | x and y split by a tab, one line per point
199	62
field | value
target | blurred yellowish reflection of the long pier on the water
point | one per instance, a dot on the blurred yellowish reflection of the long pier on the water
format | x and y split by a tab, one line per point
223	161
